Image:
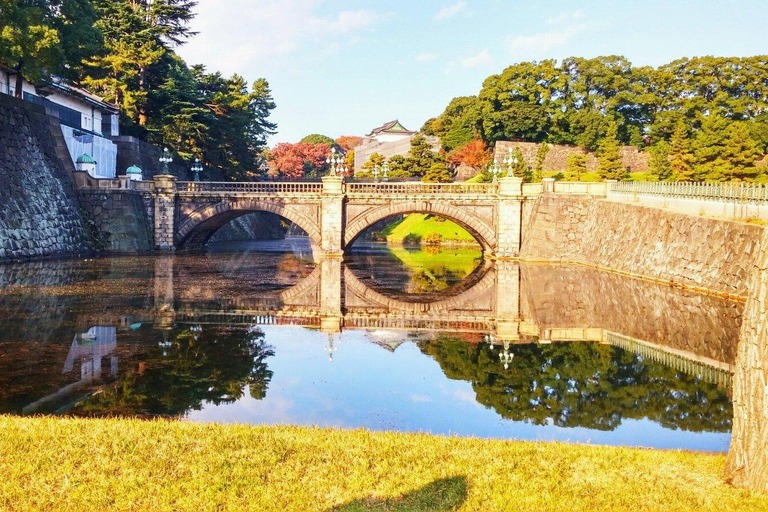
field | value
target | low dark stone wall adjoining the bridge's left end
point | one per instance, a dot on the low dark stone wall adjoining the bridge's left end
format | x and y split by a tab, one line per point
124	218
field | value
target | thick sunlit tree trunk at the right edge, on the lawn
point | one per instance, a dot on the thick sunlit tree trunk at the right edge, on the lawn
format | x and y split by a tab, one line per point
747	464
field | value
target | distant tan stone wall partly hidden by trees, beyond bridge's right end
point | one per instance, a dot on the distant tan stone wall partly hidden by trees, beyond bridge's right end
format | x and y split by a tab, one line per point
557	156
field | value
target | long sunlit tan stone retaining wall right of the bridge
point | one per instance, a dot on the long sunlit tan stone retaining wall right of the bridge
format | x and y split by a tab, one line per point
703	253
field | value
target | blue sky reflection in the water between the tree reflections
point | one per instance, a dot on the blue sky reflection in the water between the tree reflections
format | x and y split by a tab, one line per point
368	386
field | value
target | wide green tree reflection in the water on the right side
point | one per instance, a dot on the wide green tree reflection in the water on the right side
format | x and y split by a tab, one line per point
583	385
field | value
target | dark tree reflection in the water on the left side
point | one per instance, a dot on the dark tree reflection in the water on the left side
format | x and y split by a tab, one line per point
215	368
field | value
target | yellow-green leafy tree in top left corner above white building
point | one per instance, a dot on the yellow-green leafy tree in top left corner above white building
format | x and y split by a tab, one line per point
39	38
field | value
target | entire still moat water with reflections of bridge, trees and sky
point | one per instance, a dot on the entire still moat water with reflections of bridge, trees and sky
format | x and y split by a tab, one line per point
438	341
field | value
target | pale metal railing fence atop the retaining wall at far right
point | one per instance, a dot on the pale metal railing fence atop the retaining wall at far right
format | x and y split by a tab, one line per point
723	192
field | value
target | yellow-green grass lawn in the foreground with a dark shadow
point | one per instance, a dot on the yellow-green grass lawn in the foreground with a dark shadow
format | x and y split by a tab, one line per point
79	464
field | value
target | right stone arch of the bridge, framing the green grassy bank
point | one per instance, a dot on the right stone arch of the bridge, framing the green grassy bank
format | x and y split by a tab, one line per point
479	228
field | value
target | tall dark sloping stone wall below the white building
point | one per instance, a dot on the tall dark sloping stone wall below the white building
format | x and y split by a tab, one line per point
39	213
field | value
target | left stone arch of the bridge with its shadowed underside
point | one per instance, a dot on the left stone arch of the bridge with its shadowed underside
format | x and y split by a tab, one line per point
198	226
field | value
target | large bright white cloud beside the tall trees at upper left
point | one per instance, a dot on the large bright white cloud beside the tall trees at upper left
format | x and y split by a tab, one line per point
256	32
